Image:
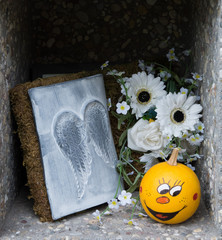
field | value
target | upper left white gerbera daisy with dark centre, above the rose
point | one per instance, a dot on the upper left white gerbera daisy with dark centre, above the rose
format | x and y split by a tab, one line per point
144	91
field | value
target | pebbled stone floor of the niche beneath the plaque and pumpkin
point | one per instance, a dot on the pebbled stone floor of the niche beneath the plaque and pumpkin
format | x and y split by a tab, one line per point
21	223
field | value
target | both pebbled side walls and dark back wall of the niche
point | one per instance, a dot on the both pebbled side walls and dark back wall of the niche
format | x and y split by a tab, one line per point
81	35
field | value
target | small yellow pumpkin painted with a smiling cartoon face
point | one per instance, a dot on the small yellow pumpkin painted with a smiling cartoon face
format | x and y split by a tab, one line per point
170	191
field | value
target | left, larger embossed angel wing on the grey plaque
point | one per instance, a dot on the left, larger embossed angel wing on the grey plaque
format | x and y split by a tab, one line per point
70	135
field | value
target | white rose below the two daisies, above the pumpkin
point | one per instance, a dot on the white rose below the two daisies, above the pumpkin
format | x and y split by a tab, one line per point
145	136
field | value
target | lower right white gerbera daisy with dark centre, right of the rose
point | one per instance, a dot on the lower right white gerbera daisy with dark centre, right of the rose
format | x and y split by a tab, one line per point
177	113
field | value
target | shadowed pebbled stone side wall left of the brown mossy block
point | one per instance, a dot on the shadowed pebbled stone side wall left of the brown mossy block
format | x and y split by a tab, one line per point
14	62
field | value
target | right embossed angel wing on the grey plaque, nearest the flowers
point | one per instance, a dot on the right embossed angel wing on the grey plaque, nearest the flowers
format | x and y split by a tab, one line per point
98	130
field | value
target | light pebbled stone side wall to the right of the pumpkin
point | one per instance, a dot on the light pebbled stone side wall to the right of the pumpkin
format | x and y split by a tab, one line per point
207	61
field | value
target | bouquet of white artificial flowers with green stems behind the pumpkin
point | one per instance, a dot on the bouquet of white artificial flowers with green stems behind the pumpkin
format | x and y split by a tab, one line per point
159	111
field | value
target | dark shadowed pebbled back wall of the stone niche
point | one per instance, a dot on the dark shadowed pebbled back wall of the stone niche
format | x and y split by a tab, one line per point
95	31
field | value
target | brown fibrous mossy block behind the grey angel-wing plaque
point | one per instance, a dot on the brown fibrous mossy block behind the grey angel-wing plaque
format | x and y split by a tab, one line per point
22	110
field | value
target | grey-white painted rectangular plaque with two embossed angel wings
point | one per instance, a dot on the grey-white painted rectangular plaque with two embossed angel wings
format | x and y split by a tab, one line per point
76	143
